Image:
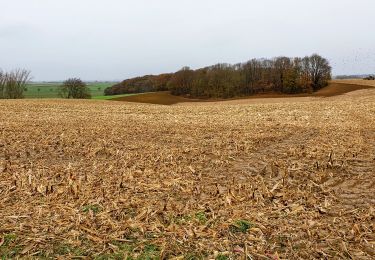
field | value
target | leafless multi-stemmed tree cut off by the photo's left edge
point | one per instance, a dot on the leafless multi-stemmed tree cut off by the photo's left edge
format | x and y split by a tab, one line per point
13	83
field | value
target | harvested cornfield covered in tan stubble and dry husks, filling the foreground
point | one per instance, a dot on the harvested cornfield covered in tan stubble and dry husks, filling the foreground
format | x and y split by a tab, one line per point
290	179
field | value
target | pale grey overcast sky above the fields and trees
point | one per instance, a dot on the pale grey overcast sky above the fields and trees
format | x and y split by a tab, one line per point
117	39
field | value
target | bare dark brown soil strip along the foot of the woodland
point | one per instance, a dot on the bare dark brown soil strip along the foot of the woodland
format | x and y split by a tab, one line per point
165	98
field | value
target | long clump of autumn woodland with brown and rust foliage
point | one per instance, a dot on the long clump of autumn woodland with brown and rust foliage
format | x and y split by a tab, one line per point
280	75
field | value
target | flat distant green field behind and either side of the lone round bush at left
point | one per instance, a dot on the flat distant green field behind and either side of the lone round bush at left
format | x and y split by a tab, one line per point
50	90
